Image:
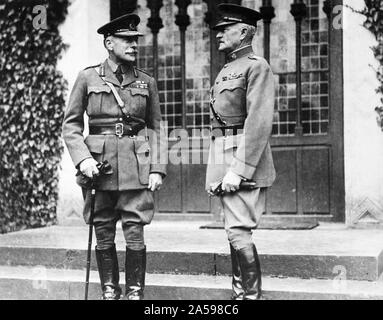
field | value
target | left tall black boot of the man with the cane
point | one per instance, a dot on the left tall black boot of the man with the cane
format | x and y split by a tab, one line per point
109	273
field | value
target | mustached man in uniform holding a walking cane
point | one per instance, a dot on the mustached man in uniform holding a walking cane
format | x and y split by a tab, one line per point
122	104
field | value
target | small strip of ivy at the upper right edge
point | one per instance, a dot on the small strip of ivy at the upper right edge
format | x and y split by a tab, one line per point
374	23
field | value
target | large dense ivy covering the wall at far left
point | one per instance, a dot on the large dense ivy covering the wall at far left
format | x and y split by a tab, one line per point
32	102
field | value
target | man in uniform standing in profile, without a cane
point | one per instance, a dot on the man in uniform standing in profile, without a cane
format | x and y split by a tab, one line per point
242	106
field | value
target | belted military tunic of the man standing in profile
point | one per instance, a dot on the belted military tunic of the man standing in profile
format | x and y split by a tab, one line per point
243	95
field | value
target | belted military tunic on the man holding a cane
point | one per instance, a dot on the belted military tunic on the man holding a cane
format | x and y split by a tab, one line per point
132	158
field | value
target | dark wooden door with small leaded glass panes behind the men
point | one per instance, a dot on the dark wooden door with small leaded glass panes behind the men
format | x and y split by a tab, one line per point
307	139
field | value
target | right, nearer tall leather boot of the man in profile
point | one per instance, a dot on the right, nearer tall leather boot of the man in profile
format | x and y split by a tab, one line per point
251	272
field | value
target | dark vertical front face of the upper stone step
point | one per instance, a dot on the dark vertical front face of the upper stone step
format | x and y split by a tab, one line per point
363	268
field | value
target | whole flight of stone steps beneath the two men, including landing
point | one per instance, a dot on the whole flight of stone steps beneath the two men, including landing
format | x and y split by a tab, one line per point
187	263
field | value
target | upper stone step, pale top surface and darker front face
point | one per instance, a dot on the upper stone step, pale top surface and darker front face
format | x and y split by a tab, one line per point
183	248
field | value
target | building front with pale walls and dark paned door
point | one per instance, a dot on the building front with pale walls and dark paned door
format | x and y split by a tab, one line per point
326	144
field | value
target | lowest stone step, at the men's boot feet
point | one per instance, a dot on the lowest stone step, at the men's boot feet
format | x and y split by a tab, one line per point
39	283
